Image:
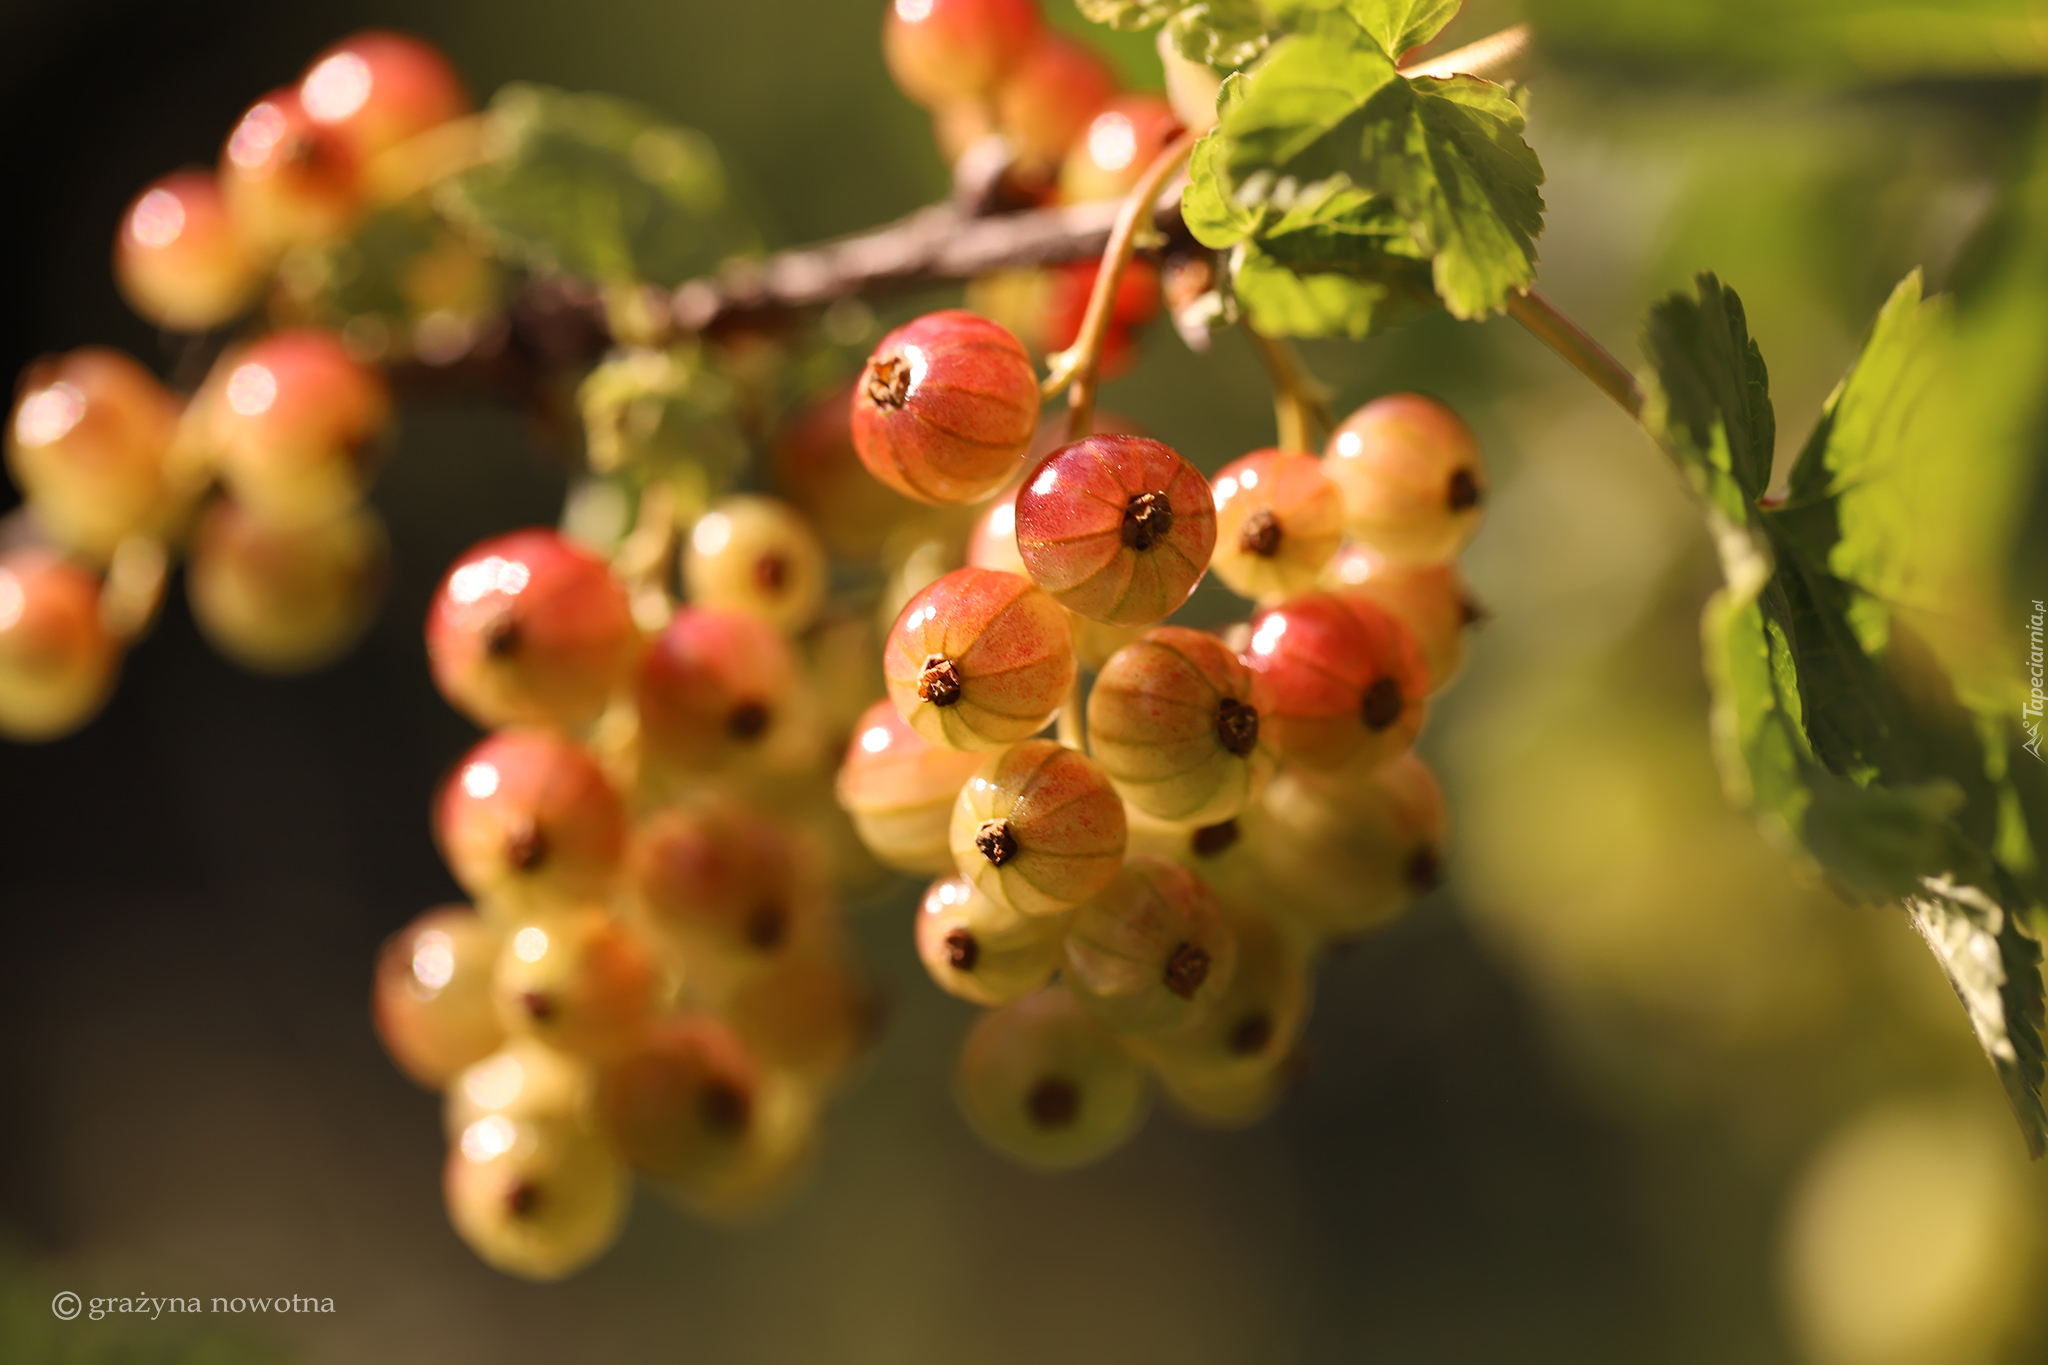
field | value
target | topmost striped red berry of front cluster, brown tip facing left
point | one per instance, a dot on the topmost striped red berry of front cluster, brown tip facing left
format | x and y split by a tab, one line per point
947	408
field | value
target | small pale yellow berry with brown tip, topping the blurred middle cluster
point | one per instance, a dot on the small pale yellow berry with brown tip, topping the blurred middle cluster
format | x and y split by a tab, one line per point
757	556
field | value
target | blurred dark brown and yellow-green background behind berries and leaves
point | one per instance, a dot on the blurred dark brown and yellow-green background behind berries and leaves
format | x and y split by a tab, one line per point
1633	1088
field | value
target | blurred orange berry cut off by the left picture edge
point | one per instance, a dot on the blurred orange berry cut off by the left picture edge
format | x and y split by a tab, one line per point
56	658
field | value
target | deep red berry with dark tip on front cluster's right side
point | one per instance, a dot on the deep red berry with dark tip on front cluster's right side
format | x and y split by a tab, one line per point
1336	680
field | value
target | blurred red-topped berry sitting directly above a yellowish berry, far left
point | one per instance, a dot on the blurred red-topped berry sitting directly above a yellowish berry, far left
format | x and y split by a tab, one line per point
294	425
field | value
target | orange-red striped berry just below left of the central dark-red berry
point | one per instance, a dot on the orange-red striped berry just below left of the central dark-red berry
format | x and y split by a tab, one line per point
980	660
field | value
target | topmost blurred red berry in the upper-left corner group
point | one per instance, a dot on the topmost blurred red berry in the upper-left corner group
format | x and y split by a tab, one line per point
382	89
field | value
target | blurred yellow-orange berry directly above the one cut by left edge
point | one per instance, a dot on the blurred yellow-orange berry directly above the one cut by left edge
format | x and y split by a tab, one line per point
87	447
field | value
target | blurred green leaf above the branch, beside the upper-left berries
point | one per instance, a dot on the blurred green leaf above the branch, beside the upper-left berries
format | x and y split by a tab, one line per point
597	187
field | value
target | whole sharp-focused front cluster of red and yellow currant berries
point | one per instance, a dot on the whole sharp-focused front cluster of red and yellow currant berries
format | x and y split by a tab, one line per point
1146	893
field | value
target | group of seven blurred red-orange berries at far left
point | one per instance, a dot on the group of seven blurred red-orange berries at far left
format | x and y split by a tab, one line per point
259	476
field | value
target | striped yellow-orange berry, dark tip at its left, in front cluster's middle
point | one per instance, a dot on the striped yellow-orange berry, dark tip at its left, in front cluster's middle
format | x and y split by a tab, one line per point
1039	828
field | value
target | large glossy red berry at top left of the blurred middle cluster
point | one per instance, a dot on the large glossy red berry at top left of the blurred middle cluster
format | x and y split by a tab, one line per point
529	629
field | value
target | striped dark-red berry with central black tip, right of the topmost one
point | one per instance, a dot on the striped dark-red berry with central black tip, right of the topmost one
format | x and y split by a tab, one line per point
1117	529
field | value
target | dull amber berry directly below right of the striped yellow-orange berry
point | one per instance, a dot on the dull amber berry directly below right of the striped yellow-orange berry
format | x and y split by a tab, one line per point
1150	953
